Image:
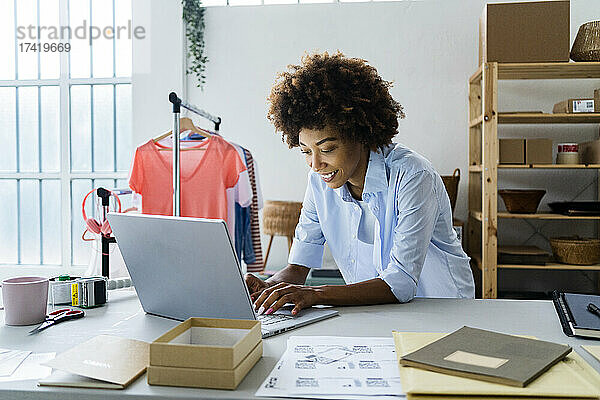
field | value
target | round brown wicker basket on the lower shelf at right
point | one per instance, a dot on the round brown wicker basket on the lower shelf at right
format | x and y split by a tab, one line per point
576	251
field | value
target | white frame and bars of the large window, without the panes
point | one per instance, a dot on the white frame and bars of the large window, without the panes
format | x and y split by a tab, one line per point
65	175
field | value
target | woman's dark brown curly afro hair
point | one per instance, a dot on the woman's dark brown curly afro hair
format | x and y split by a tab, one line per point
343	93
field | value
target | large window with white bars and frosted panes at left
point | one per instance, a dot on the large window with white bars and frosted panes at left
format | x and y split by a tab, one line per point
65	122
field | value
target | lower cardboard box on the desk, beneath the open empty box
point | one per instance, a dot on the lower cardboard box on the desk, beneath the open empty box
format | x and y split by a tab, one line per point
204	378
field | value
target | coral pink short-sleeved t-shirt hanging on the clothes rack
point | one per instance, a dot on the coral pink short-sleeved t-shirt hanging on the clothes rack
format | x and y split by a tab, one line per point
205	177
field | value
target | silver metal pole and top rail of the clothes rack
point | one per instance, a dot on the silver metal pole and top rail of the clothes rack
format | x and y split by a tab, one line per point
177	104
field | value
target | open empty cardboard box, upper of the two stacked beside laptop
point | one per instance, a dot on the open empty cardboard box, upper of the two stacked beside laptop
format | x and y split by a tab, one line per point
206	343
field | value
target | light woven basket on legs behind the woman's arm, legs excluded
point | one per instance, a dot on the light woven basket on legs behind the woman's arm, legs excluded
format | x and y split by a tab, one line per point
281	217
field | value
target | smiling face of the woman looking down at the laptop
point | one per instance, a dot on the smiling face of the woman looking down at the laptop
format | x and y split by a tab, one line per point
336	161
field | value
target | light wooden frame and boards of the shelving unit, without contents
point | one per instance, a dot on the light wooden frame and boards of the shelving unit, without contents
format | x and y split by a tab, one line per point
483	159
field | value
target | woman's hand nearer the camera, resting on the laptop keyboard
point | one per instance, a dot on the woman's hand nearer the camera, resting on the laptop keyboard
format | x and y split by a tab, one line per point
274	297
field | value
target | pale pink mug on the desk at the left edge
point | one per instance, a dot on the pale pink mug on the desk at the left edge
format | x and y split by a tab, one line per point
25	299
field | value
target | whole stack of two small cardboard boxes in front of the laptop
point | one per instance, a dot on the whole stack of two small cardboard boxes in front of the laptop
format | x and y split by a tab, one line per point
203	352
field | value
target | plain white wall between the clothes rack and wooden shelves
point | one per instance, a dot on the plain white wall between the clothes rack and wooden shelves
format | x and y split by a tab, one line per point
415	44
